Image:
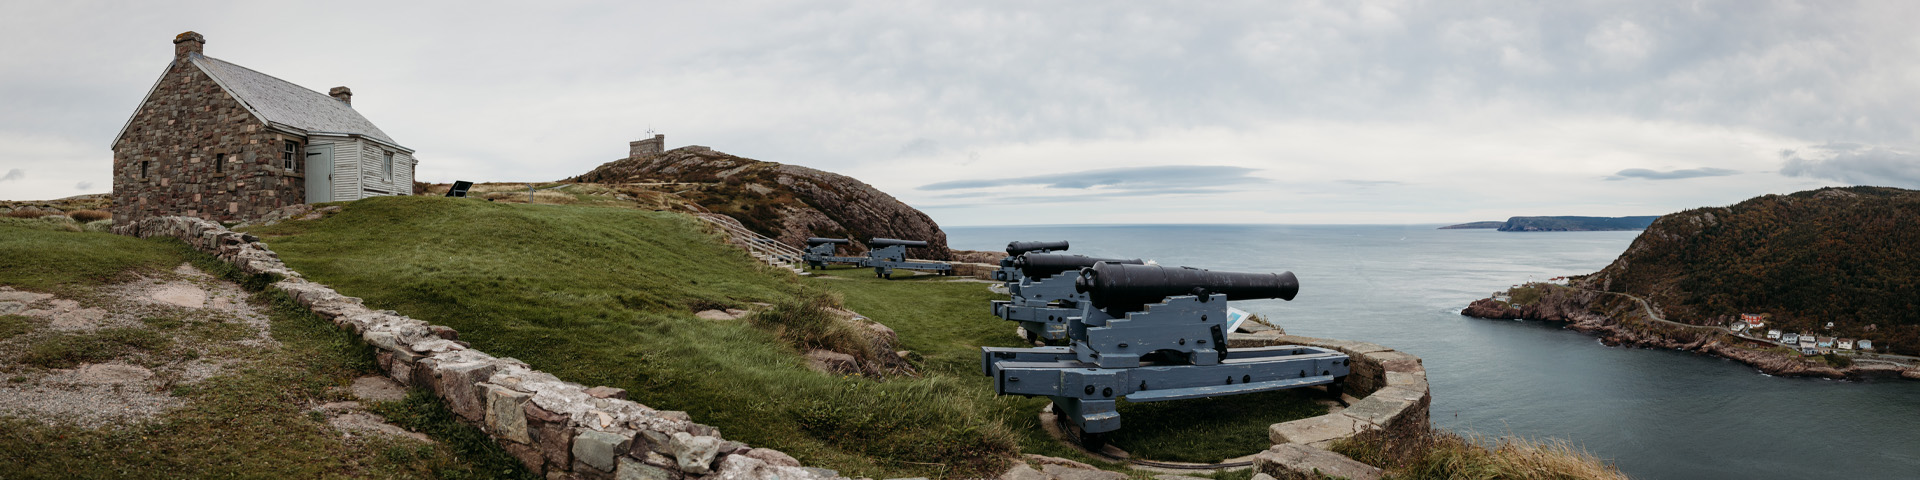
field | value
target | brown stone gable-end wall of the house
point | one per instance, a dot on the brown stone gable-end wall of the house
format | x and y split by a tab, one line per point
166	160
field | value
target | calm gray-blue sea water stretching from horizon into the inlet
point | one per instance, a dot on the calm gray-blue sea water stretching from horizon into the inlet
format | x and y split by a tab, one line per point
1656	414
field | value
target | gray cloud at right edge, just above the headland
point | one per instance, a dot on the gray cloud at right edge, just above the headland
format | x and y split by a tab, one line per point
1854	164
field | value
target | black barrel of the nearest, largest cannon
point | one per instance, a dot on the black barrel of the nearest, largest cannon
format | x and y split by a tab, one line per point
1130	287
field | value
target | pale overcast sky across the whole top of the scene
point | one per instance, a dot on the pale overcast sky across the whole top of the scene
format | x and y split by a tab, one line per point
1057	112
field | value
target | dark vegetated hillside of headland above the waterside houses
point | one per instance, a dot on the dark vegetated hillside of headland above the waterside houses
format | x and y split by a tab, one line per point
1825	256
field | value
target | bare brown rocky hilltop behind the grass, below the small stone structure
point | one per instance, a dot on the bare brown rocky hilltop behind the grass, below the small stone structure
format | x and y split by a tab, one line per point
784	203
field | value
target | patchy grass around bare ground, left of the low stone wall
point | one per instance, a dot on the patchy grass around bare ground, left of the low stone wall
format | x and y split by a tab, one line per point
249	423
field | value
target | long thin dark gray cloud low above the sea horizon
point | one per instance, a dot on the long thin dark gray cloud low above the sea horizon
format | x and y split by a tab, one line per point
1140	181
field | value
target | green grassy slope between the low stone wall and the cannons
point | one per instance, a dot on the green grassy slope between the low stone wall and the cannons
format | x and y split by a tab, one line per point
608	297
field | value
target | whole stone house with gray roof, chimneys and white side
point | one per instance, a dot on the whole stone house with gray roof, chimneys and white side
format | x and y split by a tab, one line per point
226	143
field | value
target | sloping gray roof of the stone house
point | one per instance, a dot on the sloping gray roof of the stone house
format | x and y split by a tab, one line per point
287	103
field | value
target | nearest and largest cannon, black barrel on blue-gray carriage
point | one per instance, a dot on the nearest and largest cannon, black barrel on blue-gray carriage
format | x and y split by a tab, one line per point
1155	333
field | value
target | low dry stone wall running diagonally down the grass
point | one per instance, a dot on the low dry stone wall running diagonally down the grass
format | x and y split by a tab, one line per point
558	429
